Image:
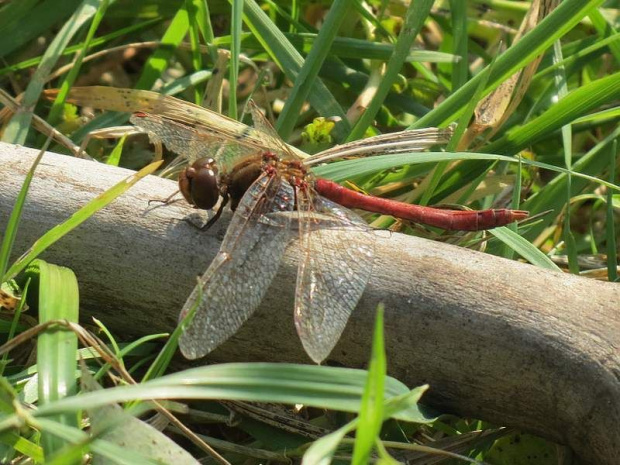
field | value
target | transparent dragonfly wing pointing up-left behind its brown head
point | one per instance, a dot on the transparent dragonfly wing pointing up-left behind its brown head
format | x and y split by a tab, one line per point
194	142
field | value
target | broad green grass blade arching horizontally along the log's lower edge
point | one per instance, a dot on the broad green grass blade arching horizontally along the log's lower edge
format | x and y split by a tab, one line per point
324	387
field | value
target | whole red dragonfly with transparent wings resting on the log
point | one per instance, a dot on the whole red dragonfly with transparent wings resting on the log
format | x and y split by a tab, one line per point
275	199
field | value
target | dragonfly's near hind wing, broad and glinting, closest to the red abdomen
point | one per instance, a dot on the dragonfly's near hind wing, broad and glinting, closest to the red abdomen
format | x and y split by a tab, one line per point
334	269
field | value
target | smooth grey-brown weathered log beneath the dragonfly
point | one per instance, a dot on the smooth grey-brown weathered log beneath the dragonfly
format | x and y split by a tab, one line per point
496	339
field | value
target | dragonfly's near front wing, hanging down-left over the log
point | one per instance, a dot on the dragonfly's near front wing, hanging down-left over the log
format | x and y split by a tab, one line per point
236	281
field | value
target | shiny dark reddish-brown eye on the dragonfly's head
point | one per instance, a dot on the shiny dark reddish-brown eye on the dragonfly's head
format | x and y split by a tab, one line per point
199	184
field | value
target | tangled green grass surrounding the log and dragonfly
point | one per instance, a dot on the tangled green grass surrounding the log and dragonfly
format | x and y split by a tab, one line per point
375	70
